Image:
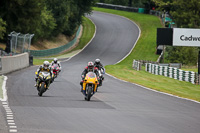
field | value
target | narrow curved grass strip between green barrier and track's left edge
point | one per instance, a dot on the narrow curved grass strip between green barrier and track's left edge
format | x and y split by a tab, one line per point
87	34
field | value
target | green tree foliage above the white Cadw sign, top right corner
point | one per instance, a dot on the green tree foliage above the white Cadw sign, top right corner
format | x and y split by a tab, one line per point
185	13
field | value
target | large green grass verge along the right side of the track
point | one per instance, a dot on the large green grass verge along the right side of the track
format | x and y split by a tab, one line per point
145	50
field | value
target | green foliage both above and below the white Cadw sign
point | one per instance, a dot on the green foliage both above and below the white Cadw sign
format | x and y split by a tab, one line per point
186	14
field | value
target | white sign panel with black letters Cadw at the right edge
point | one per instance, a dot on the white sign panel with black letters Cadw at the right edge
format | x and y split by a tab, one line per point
186	37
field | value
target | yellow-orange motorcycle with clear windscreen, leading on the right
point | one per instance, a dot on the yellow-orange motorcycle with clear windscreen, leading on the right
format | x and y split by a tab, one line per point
89	85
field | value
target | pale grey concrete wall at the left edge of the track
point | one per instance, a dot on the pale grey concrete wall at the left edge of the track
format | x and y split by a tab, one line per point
13	63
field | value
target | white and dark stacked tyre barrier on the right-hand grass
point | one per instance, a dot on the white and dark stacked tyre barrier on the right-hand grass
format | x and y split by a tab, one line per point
172	72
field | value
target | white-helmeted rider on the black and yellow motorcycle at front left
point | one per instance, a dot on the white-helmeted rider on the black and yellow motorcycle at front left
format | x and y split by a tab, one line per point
47	68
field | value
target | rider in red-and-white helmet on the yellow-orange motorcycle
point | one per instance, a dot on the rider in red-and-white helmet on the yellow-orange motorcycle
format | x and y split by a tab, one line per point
90	68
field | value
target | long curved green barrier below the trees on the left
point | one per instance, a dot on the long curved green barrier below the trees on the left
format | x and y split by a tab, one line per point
53	51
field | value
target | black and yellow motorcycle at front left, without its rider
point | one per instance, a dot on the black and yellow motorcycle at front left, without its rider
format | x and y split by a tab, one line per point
43	78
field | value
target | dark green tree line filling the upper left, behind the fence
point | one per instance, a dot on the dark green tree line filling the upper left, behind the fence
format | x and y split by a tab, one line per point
44	18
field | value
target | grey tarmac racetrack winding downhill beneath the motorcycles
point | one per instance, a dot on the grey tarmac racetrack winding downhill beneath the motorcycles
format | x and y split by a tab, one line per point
118	107
